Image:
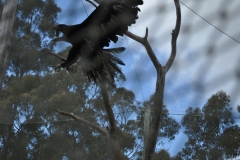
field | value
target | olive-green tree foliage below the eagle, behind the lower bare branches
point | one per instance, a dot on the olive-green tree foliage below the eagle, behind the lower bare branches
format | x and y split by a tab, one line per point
31	100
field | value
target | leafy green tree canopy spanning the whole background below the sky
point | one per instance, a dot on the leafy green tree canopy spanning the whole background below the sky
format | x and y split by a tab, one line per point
30	129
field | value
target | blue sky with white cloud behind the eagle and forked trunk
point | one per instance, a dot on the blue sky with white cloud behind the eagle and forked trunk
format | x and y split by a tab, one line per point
206	62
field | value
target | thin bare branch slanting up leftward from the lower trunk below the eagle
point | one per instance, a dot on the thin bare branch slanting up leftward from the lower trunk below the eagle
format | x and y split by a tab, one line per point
105	132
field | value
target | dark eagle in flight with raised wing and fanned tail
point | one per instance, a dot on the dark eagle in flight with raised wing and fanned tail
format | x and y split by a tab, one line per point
109	20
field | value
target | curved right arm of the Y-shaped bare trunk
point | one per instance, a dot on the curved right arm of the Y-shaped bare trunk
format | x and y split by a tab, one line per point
175	33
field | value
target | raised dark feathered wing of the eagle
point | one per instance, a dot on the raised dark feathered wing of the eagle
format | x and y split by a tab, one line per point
111	19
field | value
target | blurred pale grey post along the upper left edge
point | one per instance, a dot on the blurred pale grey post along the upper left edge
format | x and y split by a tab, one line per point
6	25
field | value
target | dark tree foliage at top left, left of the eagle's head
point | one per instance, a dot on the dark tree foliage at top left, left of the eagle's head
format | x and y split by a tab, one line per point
31	33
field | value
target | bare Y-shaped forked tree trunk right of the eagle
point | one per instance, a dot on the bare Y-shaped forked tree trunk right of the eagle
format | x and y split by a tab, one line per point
149	147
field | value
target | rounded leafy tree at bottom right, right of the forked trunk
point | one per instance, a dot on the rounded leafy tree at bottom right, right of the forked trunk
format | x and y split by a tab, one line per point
206	128
